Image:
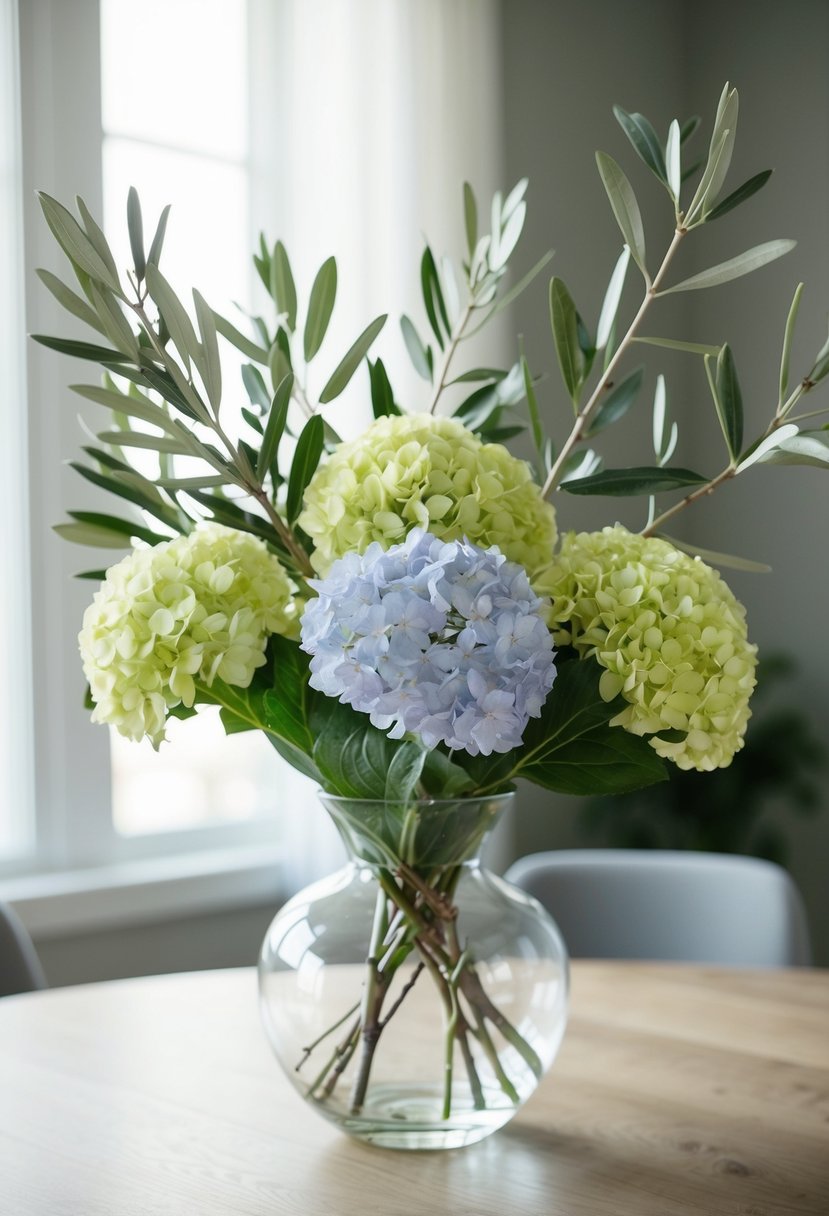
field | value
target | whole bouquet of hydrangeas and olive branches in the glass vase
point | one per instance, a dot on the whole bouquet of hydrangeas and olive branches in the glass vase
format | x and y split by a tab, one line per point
396	611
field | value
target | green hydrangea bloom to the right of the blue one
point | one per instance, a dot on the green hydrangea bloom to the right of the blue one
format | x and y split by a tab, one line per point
669	634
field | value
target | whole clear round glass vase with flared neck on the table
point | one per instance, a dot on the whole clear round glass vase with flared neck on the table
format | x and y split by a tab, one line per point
413	998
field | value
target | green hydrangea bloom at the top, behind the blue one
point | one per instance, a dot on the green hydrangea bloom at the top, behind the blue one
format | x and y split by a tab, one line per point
418	470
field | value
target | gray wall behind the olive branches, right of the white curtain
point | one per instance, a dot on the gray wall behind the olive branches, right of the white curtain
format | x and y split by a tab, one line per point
565	67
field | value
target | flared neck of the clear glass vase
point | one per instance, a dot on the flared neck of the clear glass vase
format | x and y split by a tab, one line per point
418	834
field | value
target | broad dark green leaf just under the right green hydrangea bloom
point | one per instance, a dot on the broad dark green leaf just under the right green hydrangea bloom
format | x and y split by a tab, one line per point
573	748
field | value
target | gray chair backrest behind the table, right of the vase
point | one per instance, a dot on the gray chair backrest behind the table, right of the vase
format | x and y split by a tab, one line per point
663	905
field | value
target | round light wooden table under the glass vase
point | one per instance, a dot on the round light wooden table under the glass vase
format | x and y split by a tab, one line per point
678	1090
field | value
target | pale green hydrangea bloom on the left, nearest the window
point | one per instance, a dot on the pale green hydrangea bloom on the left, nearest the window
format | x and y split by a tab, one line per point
201	605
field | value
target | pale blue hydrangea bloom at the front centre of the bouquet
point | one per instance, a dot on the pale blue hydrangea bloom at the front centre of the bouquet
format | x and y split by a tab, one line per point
441	639
